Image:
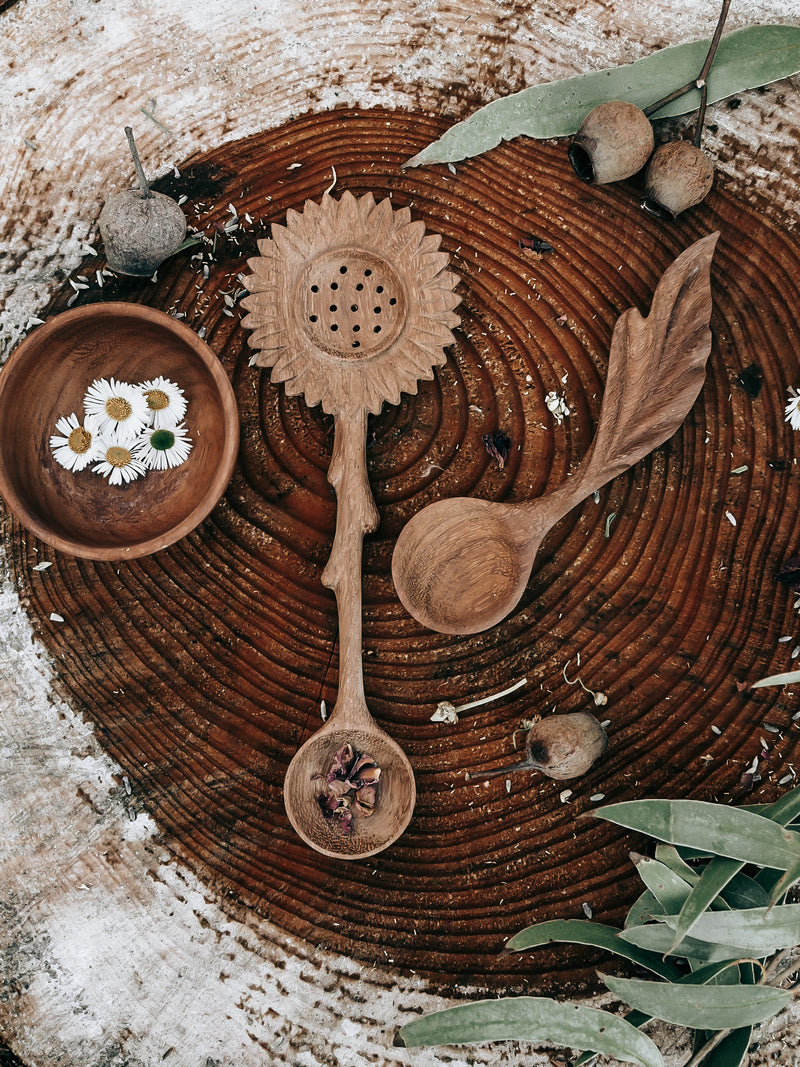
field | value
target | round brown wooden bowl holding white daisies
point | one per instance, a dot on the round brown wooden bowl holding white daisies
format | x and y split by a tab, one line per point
47	377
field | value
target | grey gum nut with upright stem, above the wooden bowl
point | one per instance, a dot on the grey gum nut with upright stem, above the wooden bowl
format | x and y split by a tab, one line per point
139	232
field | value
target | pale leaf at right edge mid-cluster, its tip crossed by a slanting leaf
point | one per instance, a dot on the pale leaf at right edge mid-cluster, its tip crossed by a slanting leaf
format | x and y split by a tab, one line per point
759	932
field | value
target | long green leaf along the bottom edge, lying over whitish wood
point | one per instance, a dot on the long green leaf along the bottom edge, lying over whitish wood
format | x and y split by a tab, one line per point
536	1020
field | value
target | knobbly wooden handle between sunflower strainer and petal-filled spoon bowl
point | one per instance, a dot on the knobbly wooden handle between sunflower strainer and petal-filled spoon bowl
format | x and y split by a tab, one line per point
356	516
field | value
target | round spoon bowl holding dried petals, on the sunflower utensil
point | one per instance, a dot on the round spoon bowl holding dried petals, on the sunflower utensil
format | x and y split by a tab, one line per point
396	792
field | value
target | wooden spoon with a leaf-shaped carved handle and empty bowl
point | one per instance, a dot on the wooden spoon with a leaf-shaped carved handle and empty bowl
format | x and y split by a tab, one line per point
460	566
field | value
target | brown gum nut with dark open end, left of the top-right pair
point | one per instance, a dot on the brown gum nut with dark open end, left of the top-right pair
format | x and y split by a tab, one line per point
615	142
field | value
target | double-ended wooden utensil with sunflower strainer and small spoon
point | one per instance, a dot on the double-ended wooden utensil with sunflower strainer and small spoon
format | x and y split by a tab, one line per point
350	305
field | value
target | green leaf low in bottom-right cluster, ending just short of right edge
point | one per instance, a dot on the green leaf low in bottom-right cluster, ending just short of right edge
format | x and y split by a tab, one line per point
702	1008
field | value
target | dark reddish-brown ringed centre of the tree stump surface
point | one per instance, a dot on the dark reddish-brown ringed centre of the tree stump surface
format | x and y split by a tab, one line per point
204	666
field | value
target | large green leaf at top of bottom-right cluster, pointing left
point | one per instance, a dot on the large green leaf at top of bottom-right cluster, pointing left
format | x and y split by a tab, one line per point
699	824
